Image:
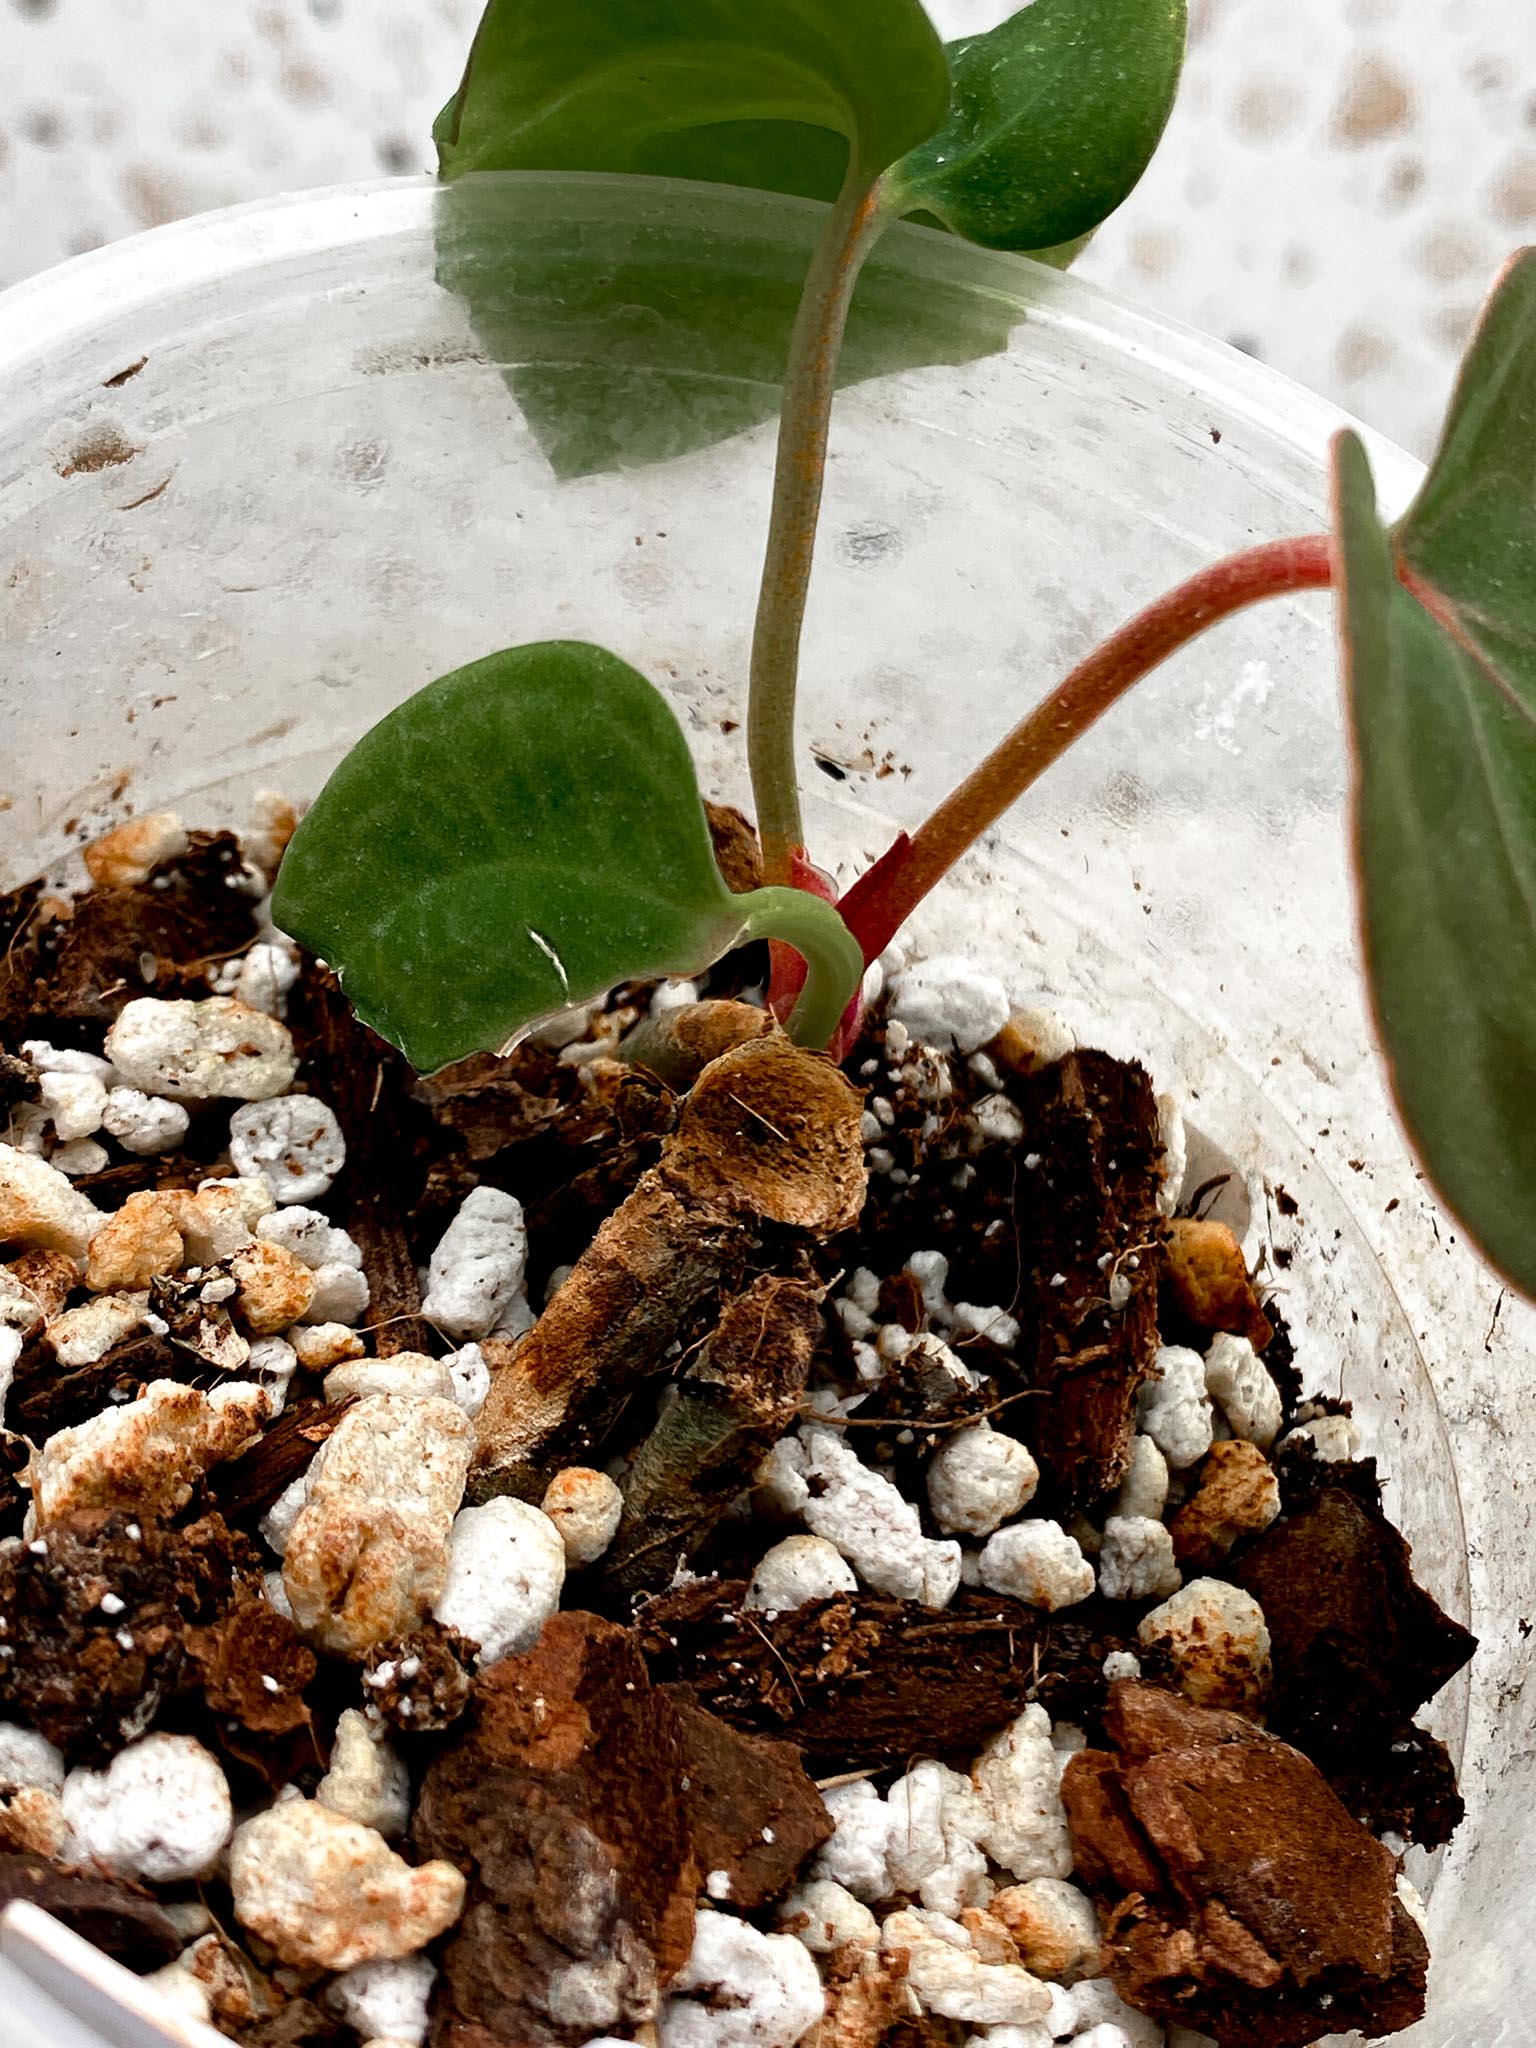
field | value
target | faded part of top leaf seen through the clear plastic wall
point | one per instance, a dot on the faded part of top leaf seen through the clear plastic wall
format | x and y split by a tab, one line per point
638	323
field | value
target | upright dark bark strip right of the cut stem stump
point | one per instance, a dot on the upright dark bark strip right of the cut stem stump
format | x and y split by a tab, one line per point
1086	1215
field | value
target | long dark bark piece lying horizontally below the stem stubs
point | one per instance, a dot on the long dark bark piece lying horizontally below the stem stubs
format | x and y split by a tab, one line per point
869	1680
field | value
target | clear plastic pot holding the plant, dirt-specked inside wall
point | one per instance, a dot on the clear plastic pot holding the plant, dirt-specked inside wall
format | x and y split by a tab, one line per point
261	478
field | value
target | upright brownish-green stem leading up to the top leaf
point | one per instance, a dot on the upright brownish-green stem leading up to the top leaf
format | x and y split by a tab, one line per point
810	378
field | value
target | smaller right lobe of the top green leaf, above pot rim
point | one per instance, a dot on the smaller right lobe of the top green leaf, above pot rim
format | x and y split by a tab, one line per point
1054	120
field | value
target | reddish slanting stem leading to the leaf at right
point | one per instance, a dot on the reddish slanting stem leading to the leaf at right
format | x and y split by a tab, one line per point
882	900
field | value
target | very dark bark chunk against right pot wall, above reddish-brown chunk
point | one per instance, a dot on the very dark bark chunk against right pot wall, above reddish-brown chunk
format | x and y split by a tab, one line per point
1357	1650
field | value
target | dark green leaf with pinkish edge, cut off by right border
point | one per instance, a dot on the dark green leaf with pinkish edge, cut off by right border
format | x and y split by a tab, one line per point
1441	660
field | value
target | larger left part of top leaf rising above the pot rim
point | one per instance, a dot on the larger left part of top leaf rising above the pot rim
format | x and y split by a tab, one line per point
732	91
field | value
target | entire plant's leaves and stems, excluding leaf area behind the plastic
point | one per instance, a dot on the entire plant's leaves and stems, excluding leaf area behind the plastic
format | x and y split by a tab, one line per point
527	833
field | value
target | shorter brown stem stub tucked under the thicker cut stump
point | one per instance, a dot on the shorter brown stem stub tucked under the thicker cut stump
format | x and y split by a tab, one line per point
734	1404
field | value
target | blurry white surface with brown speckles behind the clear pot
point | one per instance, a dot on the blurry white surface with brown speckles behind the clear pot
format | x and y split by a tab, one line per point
1334	194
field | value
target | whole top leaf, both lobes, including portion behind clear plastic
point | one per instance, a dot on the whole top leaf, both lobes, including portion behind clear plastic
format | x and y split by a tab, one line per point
1023	138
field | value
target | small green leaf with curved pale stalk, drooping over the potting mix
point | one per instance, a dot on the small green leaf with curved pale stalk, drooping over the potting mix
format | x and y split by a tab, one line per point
515	839
